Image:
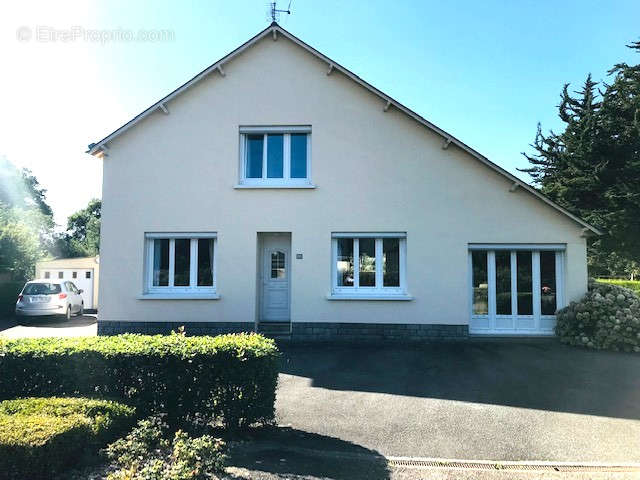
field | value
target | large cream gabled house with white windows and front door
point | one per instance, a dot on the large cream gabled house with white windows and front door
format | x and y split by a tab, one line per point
278	191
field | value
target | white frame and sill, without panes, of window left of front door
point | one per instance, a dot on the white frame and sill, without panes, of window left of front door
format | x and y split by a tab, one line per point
193	290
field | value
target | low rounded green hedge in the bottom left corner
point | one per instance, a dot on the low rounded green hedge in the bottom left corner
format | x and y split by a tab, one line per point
42	436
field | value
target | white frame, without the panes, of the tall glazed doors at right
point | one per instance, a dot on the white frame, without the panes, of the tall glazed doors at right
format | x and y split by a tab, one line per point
490	320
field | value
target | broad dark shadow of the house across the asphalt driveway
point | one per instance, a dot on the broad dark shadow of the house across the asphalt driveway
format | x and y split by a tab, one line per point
543	375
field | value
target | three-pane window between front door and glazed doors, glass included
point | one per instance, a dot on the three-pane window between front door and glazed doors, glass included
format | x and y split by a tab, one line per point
369	263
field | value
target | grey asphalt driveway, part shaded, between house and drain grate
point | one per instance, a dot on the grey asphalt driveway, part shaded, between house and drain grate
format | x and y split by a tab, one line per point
492	400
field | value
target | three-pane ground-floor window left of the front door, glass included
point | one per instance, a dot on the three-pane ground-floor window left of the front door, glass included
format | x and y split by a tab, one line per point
180	263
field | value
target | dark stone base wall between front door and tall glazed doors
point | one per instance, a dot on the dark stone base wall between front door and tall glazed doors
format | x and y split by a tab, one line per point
358	332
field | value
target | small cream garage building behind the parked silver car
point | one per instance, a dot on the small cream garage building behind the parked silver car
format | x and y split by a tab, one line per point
82	271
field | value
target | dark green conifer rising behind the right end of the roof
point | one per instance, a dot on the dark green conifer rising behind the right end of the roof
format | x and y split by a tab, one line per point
592	168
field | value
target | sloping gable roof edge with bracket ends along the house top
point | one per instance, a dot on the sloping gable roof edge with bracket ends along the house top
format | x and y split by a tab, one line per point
274	29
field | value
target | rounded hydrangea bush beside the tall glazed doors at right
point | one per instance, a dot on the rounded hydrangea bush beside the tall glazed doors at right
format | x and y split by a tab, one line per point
606	318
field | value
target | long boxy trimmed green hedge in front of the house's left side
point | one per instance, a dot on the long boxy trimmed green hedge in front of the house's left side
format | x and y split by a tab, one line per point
231	378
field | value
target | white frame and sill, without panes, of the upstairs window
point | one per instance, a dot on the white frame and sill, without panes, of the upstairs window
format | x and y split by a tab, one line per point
286	180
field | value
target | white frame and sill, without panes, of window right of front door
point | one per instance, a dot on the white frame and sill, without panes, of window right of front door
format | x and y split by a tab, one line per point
379	291
